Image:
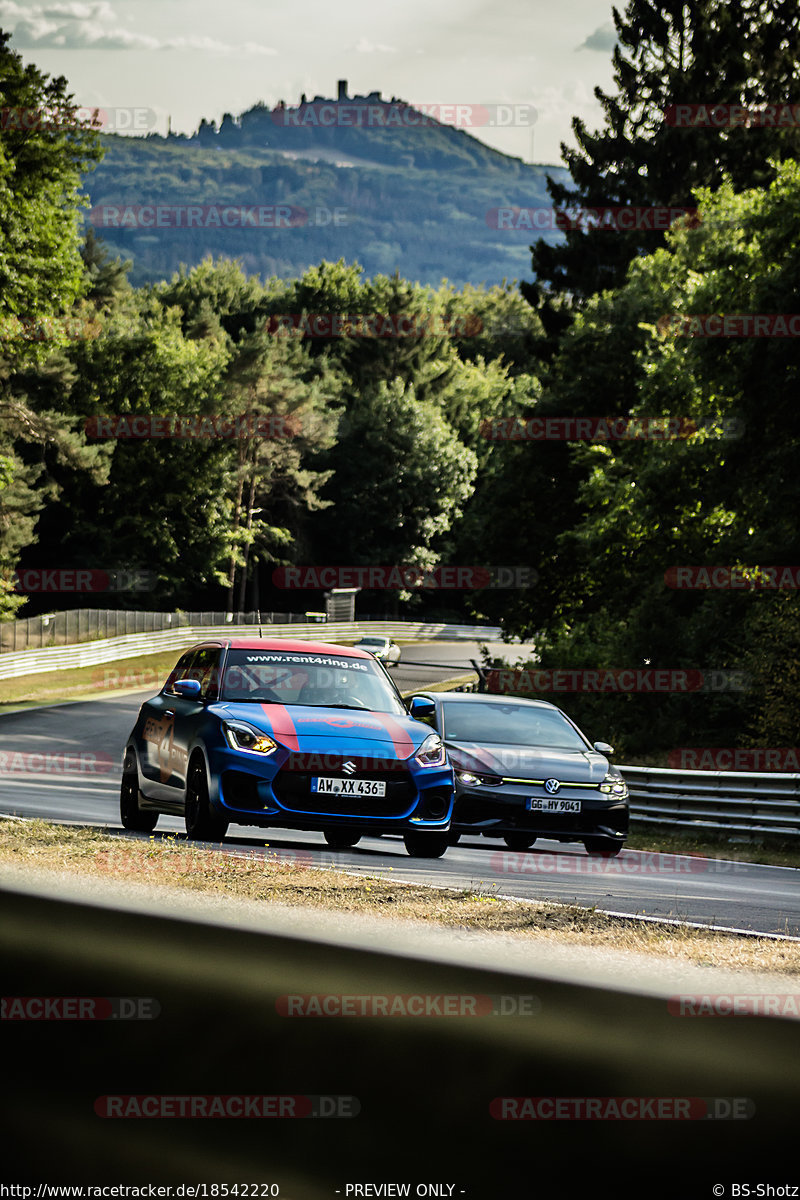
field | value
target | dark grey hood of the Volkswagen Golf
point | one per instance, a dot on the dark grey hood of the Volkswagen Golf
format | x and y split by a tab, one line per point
530	763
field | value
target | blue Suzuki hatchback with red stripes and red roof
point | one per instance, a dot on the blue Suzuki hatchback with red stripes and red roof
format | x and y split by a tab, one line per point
294	735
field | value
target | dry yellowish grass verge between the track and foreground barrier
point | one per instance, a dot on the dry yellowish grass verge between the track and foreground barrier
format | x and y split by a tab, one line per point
171	862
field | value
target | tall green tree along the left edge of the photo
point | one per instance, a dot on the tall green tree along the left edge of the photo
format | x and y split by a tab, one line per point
45	151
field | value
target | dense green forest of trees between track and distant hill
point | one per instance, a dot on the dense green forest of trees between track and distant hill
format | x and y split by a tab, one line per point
388	460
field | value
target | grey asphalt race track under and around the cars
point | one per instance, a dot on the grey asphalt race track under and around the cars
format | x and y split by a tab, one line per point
77	781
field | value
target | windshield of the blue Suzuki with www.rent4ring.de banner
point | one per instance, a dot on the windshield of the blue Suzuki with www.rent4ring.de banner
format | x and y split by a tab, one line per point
281	677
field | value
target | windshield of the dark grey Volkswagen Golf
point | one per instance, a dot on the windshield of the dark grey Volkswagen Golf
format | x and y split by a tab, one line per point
514	724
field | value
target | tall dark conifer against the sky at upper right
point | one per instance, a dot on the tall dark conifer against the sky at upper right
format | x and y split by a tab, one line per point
669	53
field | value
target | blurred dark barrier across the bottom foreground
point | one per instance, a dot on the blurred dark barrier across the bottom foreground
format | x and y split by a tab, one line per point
430	1090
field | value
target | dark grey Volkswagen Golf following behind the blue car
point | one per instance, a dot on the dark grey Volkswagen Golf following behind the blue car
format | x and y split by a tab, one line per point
526	771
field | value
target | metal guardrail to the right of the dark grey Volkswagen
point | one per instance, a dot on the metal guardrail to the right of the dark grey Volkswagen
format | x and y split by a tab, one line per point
715	801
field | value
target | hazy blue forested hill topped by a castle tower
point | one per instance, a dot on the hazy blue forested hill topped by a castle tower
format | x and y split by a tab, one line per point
405	197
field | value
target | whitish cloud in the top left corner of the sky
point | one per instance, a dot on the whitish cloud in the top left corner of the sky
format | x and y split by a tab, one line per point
77	26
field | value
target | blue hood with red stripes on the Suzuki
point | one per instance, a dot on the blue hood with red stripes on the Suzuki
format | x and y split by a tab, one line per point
317	730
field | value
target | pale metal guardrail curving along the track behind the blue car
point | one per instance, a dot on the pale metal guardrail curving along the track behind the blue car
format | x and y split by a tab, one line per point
88	655
